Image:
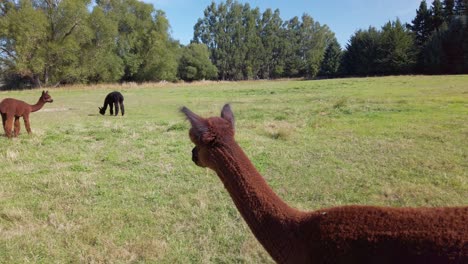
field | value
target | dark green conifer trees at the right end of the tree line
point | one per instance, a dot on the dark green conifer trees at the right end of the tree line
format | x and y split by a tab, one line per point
435	42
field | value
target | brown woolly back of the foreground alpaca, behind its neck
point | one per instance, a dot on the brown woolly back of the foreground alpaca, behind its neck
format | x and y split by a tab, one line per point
368	234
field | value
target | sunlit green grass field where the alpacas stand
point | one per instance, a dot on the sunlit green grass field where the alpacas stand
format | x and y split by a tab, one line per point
99	189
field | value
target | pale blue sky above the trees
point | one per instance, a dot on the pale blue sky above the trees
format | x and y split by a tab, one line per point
343	17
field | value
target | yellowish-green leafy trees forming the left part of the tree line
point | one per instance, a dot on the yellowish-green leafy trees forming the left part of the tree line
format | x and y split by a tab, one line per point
49	42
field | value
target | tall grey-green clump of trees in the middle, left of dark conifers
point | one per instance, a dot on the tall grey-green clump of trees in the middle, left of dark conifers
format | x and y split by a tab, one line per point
245	44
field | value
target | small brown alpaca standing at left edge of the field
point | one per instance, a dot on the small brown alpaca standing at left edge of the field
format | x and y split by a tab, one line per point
12	109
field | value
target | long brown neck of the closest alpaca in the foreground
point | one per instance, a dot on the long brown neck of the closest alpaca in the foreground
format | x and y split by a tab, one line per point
272	221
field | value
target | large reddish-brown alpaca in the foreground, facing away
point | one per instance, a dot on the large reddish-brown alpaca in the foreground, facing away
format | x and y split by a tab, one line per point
347	234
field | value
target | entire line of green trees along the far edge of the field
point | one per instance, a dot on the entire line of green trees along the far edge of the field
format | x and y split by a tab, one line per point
52	42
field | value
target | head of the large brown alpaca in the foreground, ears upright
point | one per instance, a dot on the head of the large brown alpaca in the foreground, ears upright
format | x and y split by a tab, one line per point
209	133
